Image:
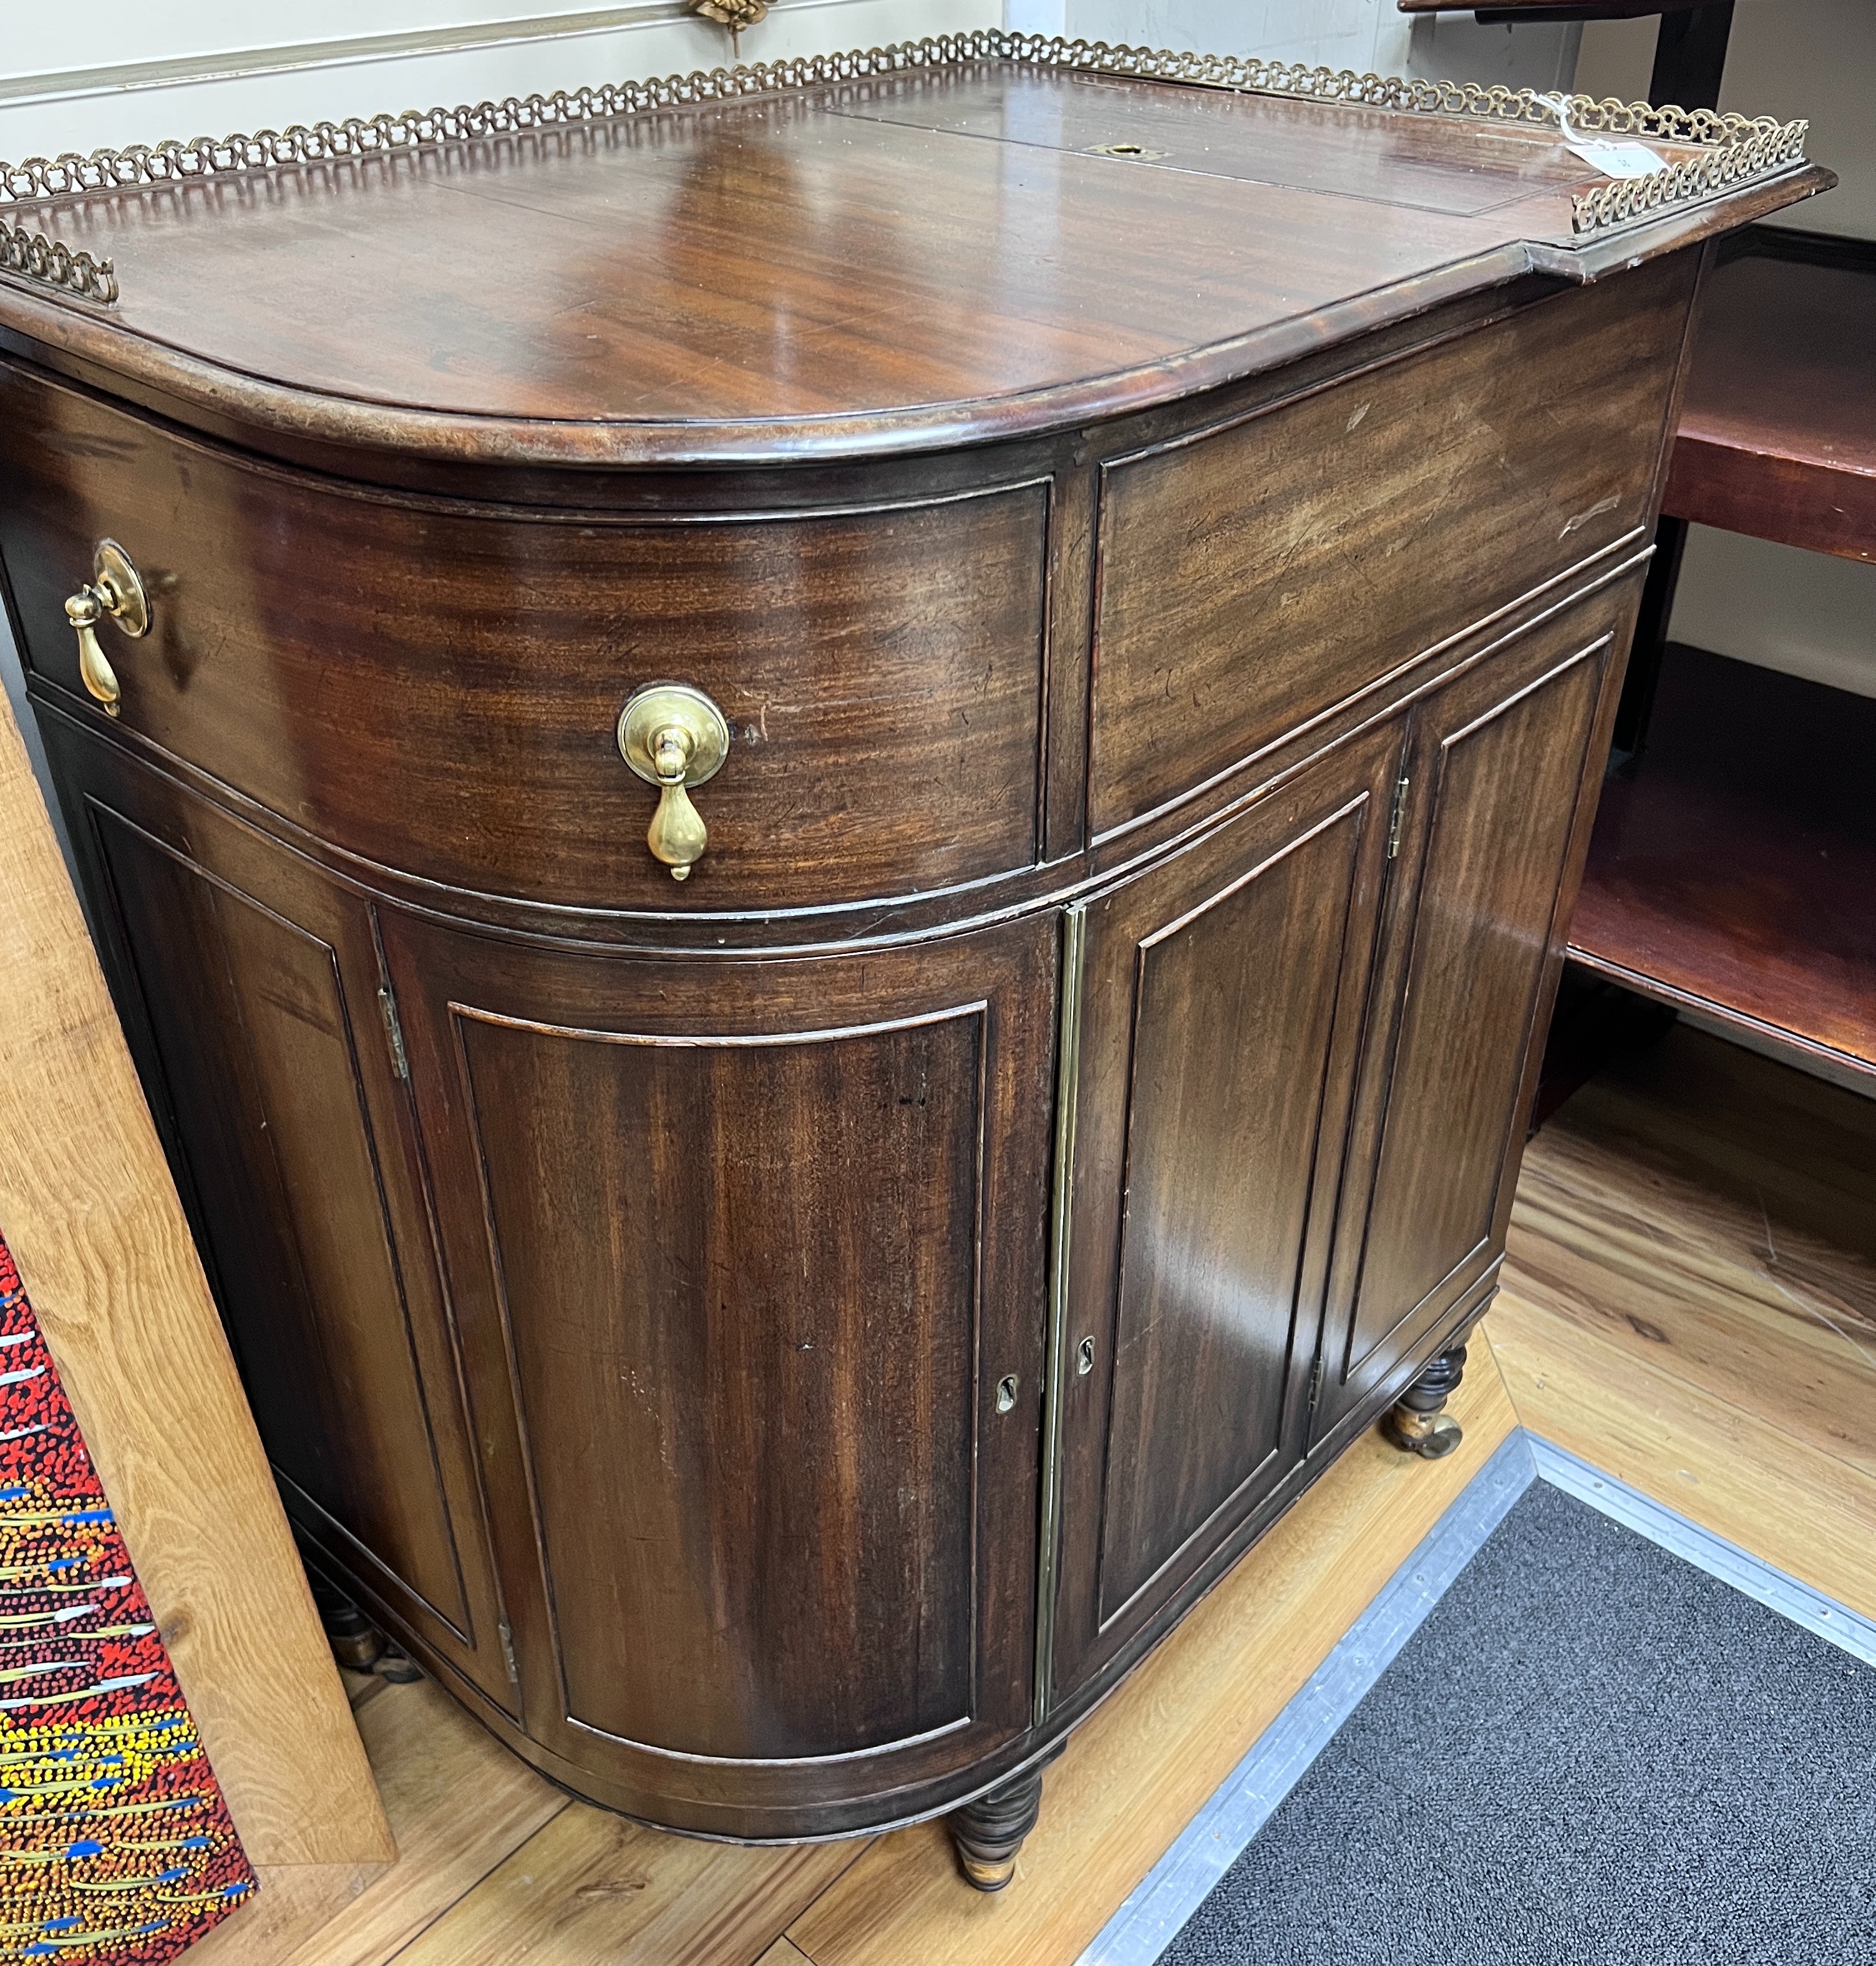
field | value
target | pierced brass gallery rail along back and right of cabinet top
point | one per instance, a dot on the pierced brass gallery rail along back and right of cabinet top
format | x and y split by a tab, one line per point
1735	148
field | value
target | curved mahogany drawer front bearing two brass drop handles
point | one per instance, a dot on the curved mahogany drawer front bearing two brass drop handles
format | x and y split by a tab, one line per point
436	687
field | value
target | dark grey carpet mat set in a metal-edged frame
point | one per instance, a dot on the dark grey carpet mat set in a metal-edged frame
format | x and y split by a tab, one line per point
1590	1755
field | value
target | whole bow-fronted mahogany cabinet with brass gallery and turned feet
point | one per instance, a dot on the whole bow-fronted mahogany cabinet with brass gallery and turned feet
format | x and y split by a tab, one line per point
835	807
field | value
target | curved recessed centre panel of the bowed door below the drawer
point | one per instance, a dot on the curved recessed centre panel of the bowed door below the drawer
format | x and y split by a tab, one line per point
778	1578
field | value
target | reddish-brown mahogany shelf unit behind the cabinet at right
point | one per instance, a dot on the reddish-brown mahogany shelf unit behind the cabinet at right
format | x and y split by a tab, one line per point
1733	868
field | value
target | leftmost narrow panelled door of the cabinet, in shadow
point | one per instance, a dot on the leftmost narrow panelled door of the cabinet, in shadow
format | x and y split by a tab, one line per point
249	986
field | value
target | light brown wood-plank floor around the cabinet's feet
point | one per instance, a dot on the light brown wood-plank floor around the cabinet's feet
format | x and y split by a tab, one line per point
1690	1304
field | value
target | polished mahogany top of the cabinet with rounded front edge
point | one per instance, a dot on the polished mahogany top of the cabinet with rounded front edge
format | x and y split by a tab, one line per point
841	257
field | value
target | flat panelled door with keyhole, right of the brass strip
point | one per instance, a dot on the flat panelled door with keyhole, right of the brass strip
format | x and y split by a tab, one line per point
1222	1012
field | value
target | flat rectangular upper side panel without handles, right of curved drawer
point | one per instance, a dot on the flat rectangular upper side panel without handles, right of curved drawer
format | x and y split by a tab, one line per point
1261	573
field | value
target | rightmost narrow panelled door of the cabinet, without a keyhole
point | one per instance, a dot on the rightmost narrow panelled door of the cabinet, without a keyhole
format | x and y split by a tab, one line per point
1492	844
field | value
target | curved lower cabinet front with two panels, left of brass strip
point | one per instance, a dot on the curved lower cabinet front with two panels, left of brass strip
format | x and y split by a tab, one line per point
658	1344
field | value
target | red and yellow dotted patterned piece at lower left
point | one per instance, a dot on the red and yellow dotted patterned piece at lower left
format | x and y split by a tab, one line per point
115	1839
